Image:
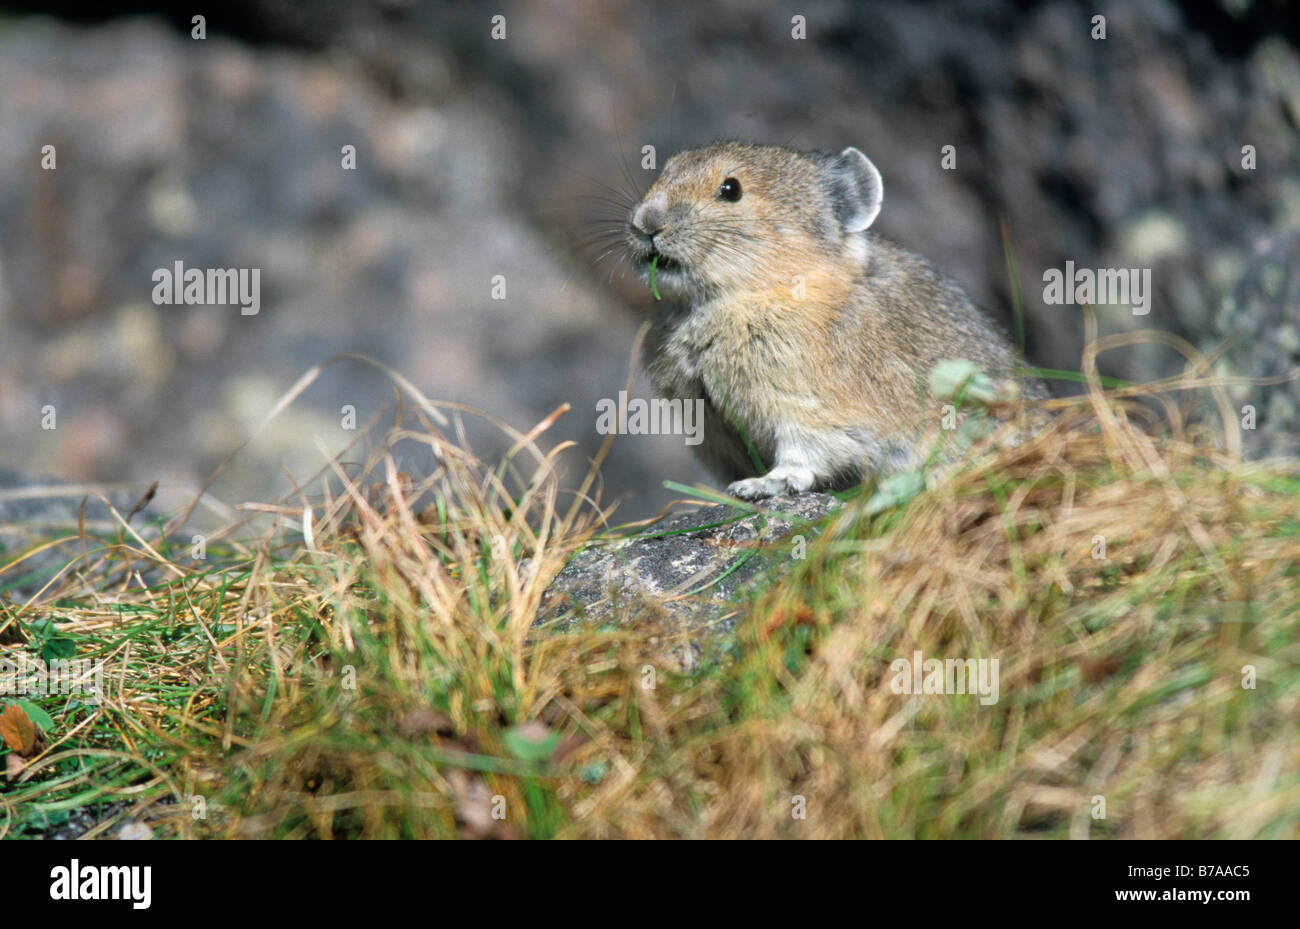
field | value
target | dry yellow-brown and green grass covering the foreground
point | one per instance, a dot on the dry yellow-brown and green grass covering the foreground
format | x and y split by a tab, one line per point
382	676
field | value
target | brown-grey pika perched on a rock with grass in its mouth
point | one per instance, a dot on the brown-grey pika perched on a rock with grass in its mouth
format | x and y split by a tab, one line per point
808	337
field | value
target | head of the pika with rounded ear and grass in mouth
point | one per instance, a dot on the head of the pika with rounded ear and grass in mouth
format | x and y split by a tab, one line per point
735	216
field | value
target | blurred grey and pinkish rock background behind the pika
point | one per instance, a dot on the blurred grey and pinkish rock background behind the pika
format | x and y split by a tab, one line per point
518	157
